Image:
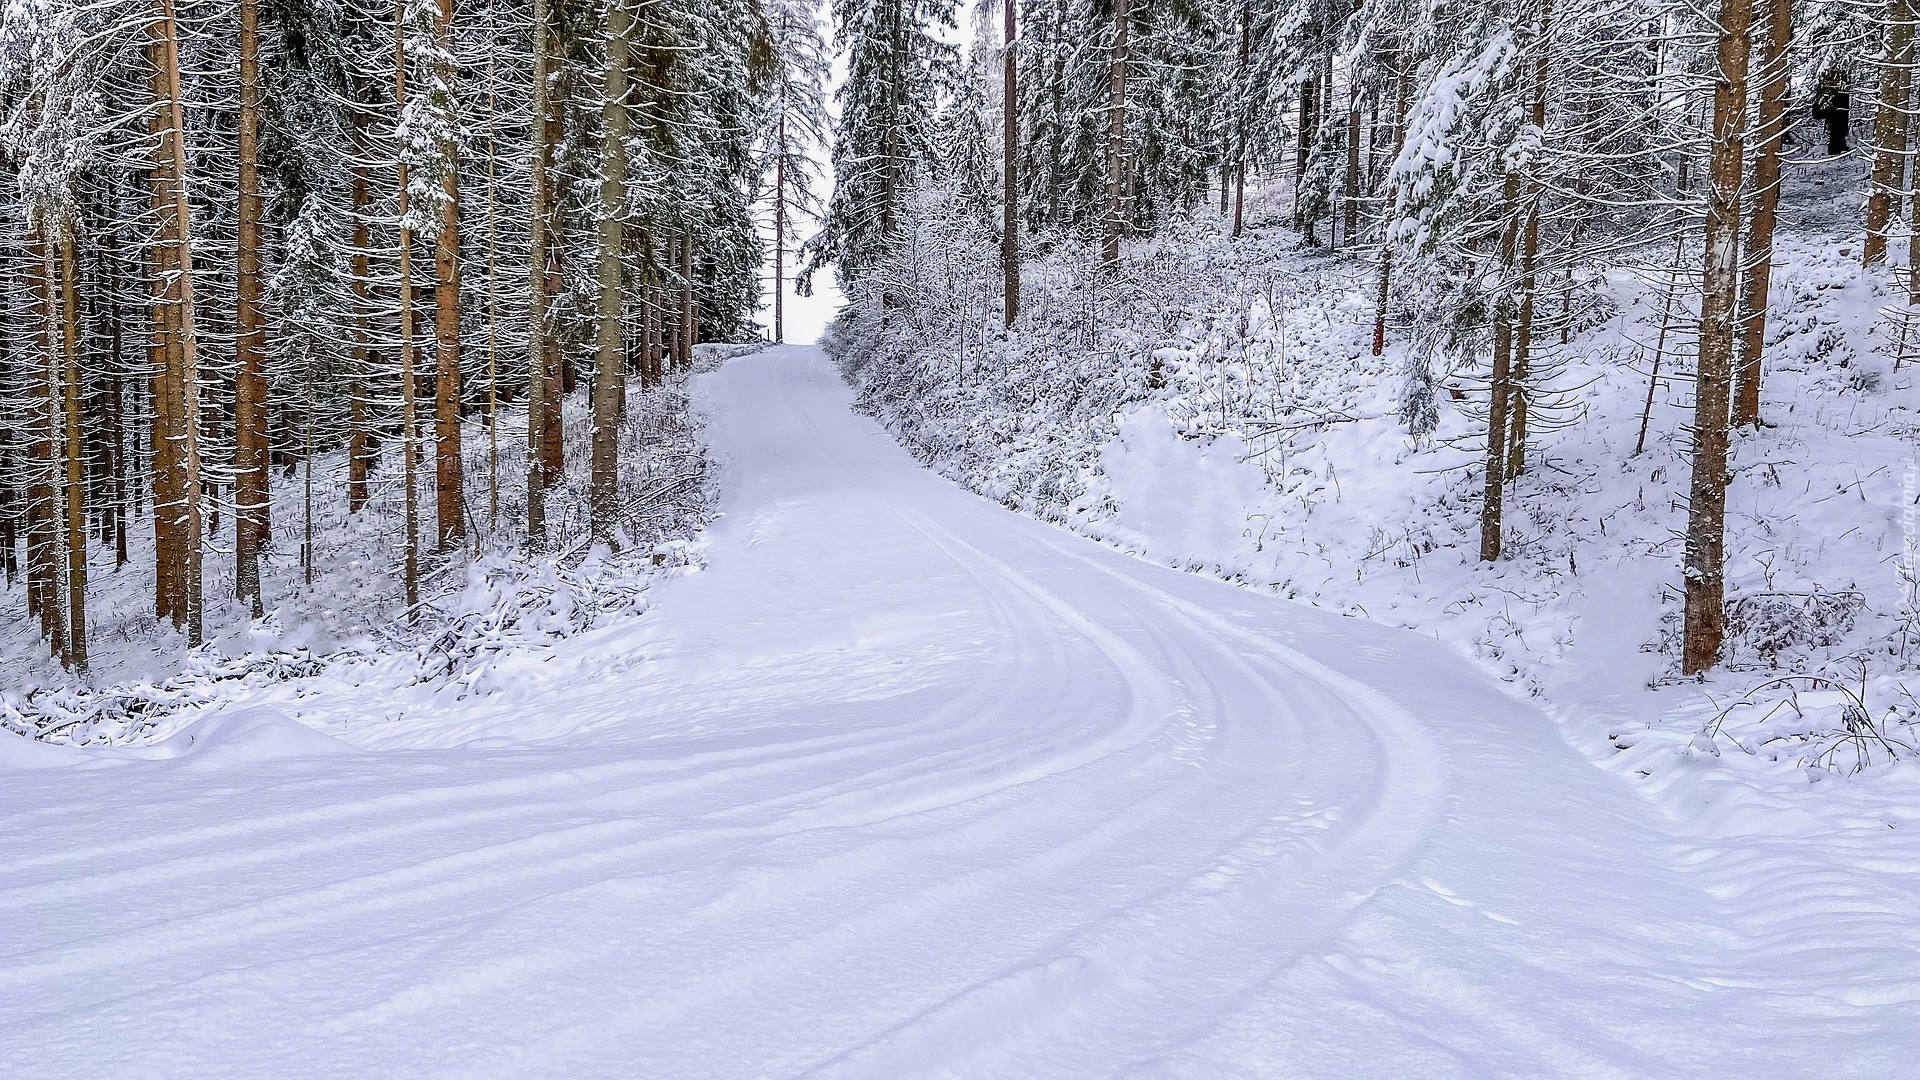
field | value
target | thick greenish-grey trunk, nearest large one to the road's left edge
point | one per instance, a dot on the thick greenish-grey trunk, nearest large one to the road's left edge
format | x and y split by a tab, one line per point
610	358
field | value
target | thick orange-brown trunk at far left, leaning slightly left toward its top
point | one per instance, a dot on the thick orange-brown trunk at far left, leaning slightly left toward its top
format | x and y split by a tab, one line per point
178	479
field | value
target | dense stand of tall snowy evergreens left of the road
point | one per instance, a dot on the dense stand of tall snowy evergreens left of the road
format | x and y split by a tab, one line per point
245	235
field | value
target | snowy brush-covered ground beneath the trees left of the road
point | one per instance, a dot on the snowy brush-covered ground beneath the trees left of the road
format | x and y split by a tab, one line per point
481	602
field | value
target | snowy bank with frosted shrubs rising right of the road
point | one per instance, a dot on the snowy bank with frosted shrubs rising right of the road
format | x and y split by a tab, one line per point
1218	408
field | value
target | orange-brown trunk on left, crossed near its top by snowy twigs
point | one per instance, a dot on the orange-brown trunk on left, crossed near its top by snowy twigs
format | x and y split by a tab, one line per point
450	497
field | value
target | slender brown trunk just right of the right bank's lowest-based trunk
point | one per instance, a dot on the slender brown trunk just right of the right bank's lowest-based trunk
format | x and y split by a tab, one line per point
1773	126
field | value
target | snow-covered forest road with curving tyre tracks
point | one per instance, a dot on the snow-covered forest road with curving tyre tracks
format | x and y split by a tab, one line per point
907	785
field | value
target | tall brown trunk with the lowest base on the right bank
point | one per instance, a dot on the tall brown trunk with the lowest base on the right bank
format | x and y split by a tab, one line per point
1706	535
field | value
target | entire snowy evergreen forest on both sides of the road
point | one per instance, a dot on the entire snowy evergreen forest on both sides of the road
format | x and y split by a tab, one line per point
237	237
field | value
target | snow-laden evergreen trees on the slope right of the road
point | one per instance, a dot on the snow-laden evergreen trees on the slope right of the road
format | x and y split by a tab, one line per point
1489	160
